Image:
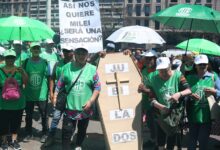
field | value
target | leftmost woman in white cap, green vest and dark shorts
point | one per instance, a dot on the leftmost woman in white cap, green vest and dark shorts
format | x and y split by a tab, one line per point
11	110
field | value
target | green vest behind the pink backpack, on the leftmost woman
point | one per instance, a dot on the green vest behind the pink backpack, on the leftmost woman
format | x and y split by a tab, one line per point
13	104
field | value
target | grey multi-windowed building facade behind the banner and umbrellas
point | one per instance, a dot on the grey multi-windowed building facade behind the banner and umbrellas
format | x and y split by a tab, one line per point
114	13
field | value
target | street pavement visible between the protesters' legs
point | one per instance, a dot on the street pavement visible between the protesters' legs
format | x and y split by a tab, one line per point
94	138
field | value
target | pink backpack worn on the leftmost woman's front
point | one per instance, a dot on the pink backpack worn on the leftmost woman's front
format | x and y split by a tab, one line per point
10	90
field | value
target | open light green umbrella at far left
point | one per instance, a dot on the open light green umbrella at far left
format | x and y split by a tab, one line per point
24	28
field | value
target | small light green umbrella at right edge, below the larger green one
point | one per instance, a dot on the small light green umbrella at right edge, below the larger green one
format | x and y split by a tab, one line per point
200	46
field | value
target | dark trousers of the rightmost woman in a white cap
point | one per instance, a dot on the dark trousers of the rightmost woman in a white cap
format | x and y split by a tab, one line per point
199	132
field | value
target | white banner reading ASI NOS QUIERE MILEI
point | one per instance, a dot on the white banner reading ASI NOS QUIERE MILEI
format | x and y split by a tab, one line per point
80	24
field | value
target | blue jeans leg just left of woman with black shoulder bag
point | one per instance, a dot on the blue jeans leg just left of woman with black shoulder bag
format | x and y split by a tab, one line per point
55	121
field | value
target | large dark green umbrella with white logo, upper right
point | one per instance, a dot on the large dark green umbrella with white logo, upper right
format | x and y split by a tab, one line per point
190	17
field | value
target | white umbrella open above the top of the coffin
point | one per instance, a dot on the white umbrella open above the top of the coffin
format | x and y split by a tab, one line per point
136	34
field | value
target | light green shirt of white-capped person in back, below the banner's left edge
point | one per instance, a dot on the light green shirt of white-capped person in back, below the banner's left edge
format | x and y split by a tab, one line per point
52	59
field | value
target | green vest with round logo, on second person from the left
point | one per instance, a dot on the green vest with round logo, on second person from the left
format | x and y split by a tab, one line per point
37	86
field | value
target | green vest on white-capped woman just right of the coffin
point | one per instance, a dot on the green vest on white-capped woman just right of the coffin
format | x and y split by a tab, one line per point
165	88
